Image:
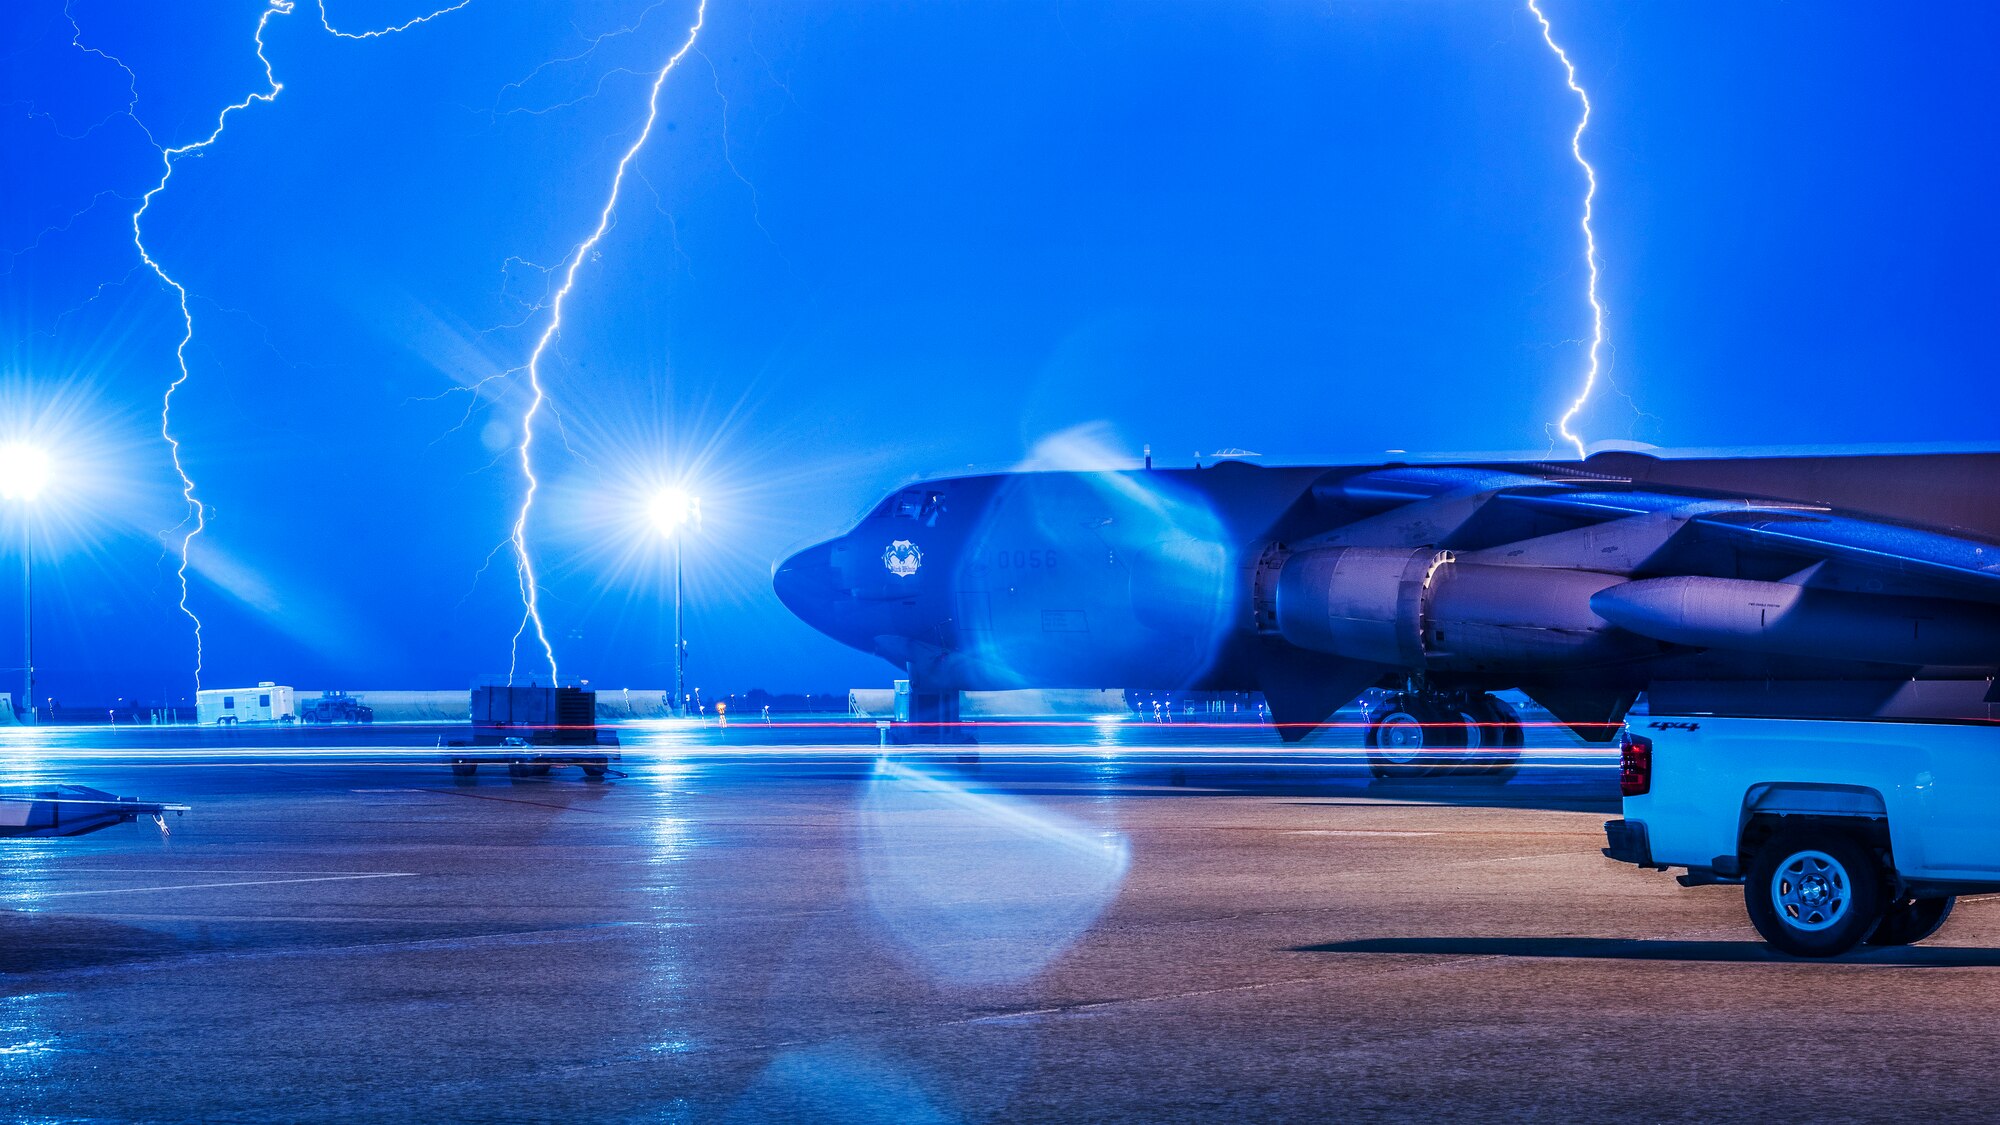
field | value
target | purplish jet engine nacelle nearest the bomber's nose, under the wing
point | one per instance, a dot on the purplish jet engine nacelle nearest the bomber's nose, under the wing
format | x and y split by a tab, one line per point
1427	610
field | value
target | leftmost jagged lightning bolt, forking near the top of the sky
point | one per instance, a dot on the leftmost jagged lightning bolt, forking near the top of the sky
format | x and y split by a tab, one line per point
197	519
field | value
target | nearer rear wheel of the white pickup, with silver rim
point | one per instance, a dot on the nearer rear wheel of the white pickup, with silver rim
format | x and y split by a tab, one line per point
1813	894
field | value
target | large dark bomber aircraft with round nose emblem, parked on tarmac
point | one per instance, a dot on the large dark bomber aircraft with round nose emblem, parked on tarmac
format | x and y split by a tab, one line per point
1763	586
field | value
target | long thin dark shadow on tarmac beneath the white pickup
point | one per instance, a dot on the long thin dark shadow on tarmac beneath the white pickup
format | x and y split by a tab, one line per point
1649	950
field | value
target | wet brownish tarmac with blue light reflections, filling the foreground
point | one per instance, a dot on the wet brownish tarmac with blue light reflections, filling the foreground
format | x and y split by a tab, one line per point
813	932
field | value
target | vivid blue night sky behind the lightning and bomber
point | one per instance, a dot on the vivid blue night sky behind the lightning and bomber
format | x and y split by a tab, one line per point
873	241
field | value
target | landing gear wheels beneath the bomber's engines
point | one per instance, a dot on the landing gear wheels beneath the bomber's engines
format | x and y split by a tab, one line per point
1423	734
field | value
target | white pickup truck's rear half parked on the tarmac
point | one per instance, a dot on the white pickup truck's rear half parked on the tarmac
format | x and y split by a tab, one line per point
1839	832
